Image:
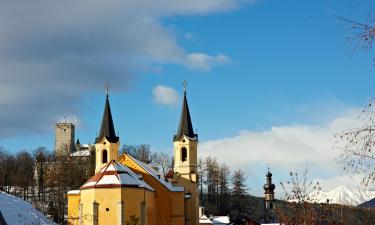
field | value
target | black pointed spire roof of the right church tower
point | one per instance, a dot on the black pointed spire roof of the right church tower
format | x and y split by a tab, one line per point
185	127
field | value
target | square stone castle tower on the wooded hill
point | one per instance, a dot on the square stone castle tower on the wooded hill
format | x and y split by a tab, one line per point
64	139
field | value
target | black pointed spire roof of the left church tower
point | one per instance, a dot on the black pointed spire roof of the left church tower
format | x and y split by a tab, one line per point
107	129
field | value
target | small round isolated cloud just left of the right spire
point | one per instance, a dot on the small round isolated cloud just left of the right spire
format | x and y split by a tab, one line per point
165	95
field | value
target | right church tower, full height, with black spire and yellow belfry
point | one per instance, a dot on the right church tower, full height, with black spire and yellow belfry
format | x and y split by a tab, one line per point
185	162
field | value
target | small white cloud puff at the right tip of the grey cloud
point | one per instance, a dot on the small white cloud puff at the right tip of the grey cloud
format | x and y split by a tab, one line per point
204	62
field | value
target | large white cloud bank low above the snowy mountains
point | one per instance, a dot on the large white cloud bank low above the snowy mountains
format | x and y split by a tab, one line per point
286	148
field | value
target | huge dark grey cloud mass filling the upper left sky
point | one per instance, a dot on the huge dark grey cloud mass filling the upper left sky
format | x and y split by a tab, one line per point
58	51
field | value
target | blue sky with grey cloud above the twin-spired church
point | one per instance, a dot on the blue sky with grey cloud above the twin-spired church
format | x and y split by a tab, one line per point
263	64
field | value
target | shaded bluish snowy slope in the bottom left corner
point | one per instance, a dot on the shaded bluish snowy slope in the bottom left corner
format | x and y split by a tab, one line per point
18	212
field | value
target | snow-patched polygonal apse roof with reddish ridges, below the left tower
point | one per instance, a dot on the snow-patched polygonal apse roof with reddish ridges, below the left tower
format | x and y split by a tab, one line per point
113	174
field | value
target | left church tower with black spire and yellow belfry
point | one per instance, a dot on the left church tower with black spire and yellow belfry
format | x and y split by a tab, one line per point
107	143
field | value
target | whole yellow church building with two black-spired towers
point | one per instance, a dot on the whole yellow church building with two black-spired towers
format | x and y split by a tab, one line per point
125	190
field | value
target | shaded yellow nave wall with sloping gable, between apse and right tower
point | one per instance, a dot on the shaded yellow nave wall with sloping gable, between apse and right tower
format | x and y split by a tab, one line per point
169	206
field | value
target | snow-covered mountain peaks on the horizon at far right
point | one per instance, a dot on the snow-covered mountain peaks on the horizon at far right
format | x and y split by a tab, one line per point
344	196
